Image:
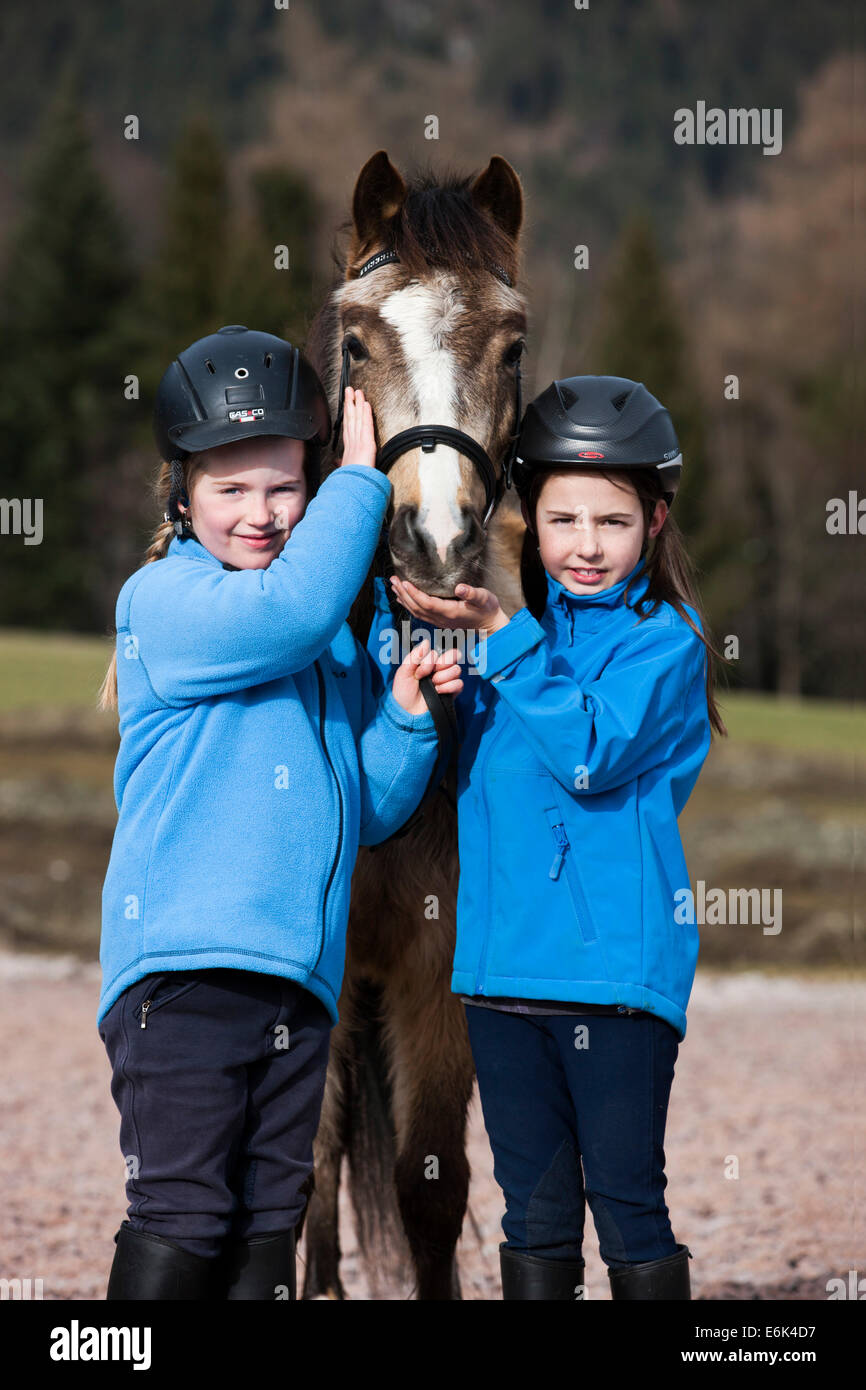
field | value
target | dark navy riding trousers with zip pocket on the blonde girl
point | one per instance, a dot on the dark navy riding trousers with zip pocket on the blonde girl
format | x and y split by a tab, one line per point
220	1097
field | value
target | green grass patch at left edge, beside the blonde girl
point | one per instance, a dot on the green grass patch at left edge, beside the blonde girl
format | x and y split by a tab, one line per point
51	669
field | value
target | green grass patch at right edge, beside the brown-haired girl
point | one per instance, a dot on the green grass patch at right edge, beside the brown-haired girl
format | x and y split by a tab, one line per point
797	726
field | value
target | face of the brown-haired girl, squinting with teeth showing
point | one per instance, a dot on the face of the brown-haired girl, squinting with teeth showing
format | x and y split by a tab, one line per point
590	530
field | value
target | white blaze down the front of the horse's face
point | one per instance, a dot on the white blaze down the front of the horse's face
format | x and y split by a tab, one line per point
425	316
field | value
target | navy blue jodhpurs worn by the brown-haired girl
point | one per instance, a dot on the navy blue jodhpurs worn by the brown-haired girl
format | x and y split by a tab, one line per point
575	1110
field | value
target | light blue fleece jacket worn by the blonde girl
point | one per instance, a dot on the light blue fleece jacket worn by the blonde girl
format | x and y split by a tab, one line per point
259	747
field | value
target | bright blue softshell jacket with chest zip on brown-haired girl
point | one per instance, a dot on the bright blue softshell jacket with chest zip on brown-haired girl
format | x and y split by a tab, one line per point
583	736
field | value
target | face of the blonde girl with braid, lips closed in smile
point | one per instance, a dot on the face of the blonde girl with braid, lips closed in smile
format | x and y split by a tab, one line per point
247	497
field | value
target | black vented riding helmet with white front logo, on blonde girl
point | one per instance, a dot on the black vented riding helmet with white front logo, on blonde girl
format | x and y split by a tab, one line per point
230	386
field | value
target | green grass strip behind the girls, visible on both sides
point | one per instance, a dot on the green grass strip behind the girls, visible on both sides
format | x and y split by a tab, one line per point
63	672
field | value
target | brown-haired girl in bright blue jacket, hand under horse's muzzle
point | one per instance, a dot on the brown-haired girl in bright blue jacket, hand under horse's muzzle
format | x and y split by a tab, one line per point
583	733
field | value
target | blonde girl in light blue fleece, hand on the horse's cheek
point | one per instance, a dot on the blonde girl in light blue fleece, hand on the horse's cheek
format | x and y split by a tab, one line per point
259	747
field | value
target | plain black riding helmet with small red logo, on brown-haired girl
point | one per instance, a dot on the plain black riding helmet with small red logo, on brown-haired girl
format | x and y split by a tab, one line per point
597	423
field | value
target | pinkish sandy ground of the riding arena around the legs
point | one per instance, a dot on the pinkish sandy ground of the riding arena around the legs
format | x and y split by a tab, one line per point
771	1079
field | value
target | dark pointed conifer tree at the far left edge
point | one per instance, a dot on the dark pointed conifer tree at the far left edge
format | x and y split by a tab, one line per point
63	283
